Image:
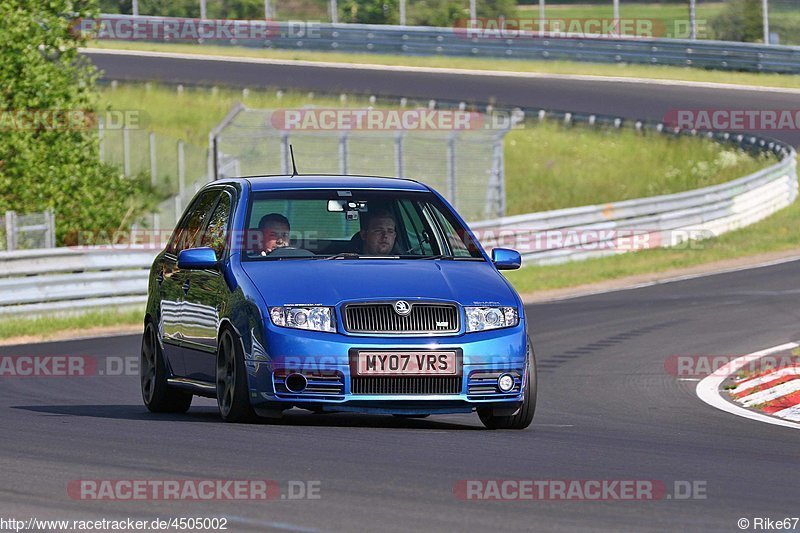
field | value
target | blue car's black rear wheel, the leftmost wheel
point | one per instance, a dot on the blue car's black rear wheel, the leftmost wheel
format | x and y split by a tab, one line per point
158	396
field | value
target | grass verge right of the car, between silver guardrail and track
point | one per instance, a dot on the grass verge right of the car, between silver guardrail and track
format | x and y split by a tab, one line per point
773	234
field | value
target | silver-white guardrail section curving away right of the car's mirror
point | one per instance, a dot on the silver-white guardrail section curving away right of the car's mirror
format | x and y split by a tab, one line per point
661	221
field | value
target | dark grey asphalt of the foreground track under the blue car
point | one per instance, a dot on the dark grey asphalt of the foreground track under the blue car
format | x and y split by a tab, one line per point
607	409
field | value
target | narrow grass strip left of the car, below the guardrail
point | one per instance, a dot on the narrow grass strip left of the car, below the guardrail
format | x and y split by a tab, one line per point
45	326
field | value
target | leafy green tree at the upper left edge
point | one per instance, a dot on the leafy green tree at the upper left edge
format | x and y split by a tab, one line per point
53	161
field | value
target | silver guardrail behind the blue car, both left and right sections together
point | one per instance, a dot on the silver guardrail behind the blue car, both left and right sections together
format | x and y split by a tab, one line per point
36	282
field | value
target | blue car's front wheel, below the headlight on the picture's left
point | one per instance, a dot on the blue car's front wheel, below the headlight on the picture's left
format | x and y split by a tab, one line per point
232	390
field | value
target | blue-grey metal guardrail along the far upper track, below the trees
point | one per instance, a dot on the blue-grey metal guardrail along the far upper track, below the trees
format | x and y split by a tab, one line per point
427	41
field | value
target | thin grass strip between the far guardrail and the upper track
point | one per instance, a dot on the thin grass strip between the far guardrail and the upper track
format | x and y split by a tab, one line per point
505	65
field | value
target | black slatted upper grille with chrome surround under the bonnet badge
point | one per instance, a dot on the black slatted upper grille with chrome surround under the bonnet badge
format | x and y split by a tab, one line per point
381	318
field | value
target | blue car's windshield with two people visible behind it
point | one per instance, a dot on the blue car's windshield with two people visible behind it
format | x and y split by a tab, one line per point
353	224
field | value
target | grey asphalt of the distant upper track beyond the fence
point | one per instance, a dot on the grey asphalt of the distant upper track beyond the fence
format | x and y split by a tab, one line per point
628	100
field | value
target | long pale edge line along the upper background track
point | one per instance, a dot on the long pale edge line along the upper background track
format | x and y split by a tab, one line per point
442	70
